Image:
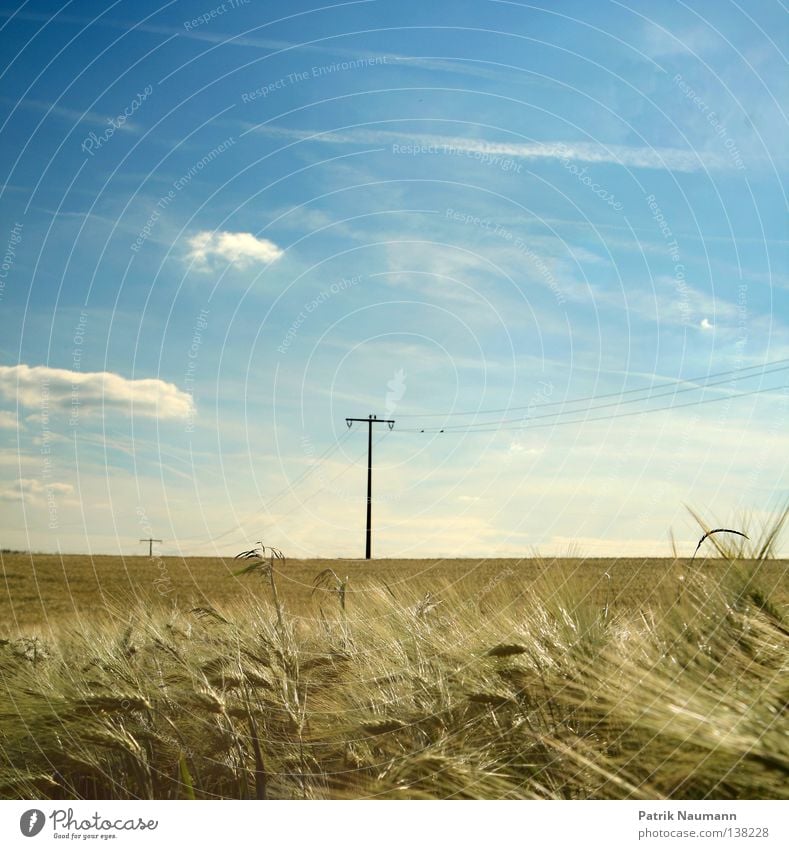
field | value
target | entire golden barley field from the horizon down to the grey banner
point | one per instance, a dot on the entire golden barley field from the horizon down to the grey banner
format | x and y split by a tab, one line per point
512	679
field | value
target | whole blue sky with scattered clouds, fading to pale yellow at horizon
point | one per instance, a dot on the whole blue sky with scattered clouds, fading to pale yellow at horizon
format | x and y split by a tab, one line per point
549	242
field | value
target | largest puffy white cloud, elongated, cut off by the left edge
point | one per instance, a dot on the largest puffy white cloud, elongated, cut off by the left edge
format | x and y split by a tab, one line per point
48	388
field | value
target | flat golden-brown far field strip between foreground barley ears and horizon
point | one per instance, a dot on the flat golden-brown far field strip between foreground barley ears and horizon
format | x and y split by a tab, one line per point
41	592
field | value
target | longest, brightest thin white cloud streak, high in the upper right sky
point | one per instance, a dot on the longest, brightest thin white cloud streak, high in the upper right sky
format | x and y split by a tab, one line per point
628	156
